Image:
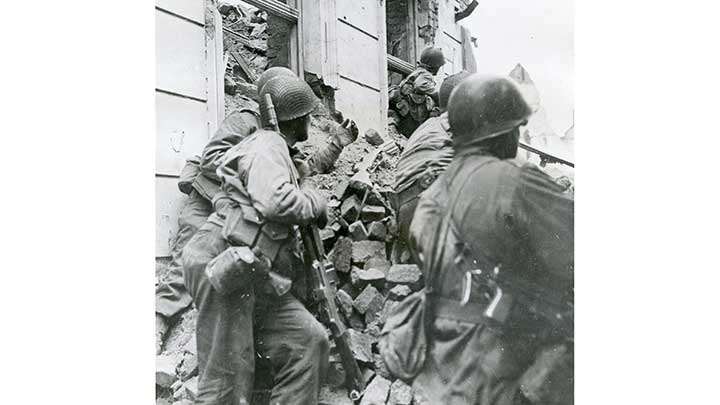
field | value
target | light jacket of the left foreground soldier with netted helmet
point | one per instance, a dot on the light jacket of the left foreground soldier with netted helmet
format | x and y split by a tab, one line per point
260	198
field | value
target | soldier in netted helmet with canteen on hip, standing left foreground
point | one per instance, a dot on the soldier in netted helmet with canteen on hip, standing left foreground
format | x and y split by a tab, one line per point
258	206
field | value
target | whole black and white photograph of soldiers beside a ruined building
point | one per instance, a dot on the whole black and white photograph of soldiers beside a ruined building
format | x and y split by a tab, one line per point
364	202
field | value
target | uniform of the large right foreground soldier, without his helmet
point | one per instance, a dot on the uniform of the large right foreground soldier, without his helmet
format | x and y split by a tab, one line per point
483	213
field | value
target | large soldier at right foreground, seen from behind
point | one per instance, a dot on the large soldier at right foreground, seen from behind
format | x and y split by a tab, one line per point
495	240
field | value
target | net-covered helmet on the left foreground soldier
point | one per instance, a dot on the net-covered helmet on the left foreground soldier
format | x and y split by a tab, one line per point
291	96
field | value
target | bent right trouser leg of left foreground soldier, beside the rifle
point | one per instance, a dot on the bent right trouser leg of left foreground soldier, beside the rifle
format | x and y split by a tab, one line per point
297	346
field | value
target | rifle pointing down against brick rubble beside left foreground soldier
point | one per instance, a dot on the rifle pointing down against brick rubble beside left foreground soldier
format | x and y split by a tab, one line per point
323	293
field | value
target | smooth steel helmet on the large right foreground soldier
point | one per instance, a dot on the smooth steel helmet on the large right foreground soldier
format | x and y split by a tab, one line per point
483	107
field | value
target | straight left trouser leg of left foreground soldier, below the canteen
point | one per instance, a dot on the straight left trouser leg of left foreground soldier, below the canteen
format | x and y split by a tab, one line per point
224	330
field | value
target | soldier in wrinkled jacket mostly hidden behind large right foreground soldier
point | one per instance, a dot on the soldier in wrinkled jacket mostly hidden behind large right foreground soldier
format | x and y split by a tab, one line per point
426	154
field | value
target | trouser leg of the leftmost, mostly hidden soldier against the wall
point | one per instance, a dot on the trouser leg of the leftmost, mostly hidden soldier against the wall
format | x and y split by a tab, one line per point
171	297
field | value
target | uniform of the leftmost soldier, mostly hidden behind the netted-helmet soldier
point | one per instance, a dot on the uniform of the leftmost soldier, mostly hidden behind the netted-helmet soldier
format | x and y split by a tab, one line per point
171	297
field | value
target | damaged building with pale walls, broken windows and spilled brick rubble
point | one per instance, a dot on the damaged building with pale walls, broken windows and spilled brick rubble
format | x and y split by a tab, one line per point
209	55
